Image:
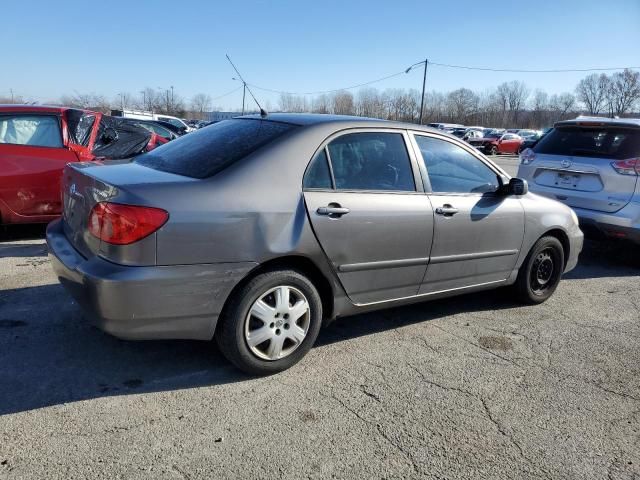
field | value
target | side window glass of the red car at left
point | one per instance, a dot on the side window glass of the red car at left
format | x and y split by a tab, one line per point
31	130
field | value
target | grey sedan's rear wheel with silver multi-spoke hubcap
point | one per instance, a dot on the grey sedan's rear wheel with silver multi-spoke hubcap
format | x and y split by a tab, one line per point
271	322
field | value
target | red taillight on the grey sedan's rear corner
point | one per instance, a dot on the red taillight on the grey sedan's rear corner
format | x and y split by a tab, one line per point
124	224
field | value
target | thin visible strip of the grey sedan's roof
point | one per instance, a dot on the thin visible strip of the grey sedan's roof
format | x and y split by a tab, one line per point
343	121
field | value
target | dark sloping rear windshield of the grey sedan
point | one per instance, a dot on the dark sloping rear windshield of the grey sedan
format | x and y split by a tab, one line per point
209	150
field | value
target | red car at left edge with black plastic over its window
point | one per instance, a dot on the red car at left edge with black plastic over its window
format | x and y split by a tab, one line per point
36	142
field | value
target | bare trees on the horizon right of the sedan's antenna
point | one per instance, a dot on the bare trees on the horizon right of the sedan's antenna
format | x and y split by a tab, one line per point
510	104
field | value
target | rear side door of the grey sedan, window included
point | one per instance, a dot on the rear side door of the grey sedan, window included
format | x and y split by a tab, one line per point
370	214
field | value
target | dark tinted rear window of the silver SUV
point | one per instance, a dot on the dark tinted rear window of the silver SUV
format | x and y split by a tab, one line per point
598	142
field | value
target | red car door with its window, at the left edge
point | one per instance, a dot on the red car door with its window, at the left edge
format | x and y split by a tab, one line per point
32	157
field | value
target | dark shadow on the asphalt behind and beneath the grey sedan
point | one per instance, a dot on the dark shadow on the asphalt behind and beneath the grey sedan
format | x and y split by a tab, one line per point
50	355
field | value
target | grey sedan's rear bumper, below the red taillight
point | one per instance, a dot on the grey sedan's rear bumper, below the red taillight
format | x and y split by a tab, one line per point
145	303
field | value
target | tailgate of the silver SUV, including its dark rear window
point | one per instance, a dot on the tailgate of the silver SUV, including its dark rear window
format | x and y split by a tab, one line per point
584	165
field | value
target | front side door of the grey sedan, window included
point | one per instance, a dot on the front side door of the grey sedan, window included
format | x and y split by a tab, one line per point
478	232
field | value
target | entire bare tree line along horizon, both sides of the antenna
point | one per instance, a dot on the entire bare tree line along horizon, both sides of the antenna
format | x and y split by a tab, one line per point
510	104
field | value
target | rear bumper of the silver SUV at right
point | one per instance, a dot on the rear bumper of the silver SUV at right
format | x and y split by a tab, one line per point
624	223
